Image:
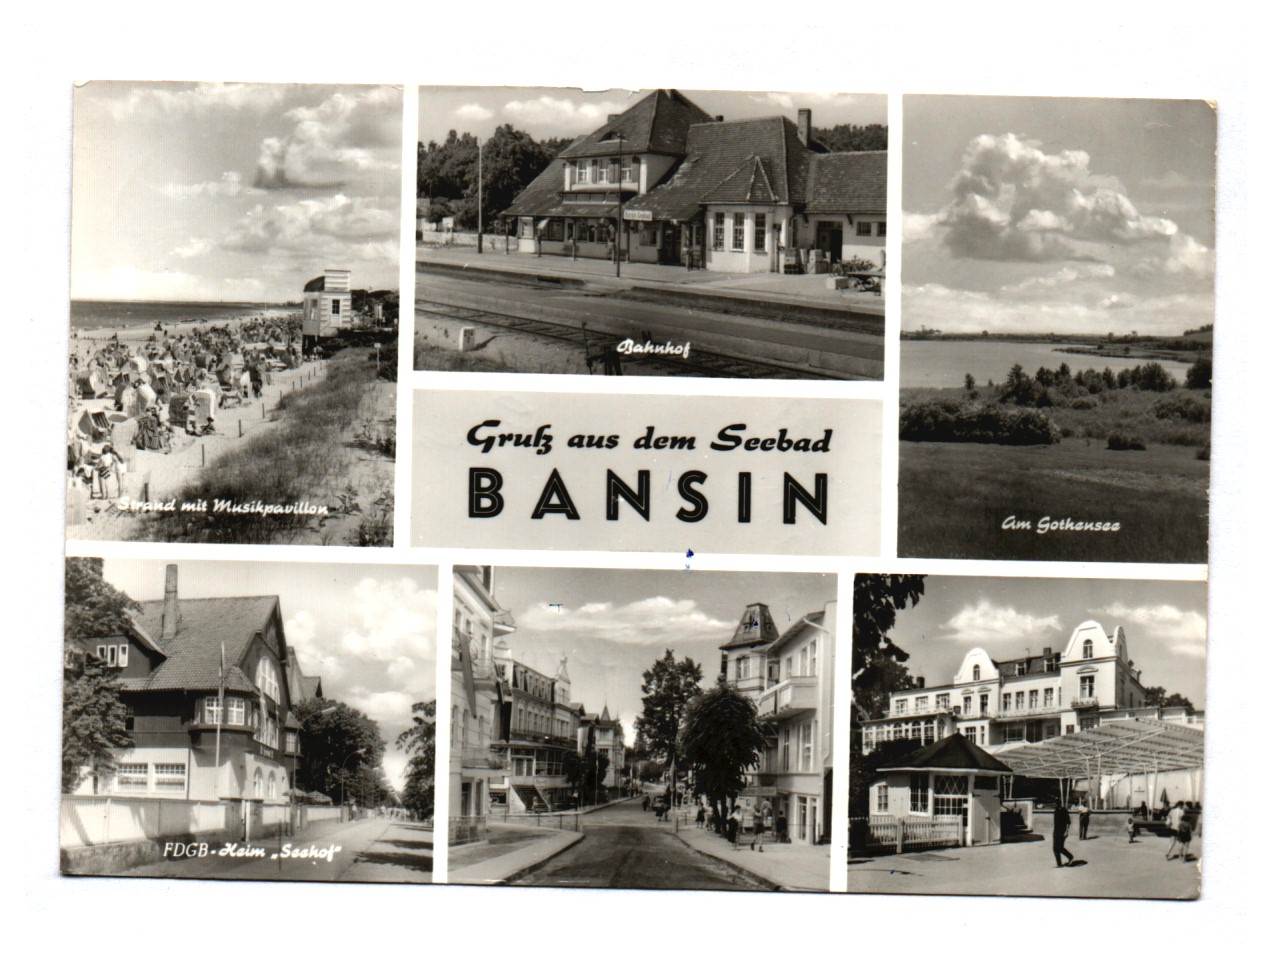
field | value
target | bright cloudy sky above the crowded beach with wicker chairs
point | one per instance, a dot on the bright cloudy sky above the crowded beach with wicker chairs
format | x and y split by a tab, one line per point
233	191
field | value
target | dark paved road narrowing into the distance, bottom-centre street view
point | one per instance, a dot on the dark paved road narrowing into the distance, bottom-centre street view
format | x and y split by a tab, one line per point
625	848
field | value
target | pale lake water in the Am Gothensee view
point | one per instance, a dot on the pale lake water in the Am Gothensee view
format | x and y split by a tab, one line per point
946	363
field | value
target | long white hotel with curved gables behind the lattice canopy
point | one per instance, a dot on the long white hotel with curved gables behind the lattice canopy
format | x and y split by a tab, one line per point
997	704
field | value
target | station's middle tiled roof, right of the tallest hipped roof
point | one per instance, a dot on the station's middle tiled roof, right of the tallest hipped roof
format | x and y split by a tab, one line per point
721	157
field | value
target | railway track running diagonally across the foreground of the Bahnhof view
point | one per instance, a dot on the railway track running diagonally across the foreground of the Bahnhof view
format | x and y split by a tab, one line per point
705	363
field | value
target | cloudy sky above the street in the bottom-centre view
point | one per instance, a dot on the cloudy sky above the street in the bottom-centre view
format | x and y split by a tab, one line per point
612	626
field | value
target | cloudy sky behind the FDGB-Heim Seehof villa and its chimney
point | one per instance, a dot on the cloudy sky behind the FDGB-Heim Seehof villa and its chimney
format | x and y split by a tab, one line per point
369	633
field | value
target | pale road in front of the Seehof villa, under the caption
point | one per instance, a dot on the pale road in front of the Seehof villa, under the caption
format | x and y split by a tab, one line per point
372	850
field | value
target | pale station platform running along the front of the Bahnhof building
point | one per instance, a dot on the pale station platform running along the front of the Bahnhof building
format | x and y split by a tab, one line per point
762	287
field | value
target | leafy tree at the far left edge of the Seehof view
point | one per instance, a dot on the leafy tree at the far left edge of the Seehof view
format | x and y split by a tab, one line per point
95	719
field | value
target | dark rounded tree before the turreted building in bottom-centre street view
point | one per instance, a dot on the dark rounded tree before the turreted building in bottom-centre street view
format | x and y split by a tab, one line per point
723	741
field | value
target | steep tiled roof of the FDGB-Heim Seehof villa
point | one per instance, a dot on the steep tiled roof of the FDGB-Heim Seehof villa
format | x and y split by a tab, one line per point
195	653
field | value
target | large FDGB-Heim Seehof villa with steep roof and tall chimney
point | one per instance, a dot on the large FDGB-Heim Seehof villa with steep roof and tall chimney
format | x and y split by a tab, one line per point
209	686
